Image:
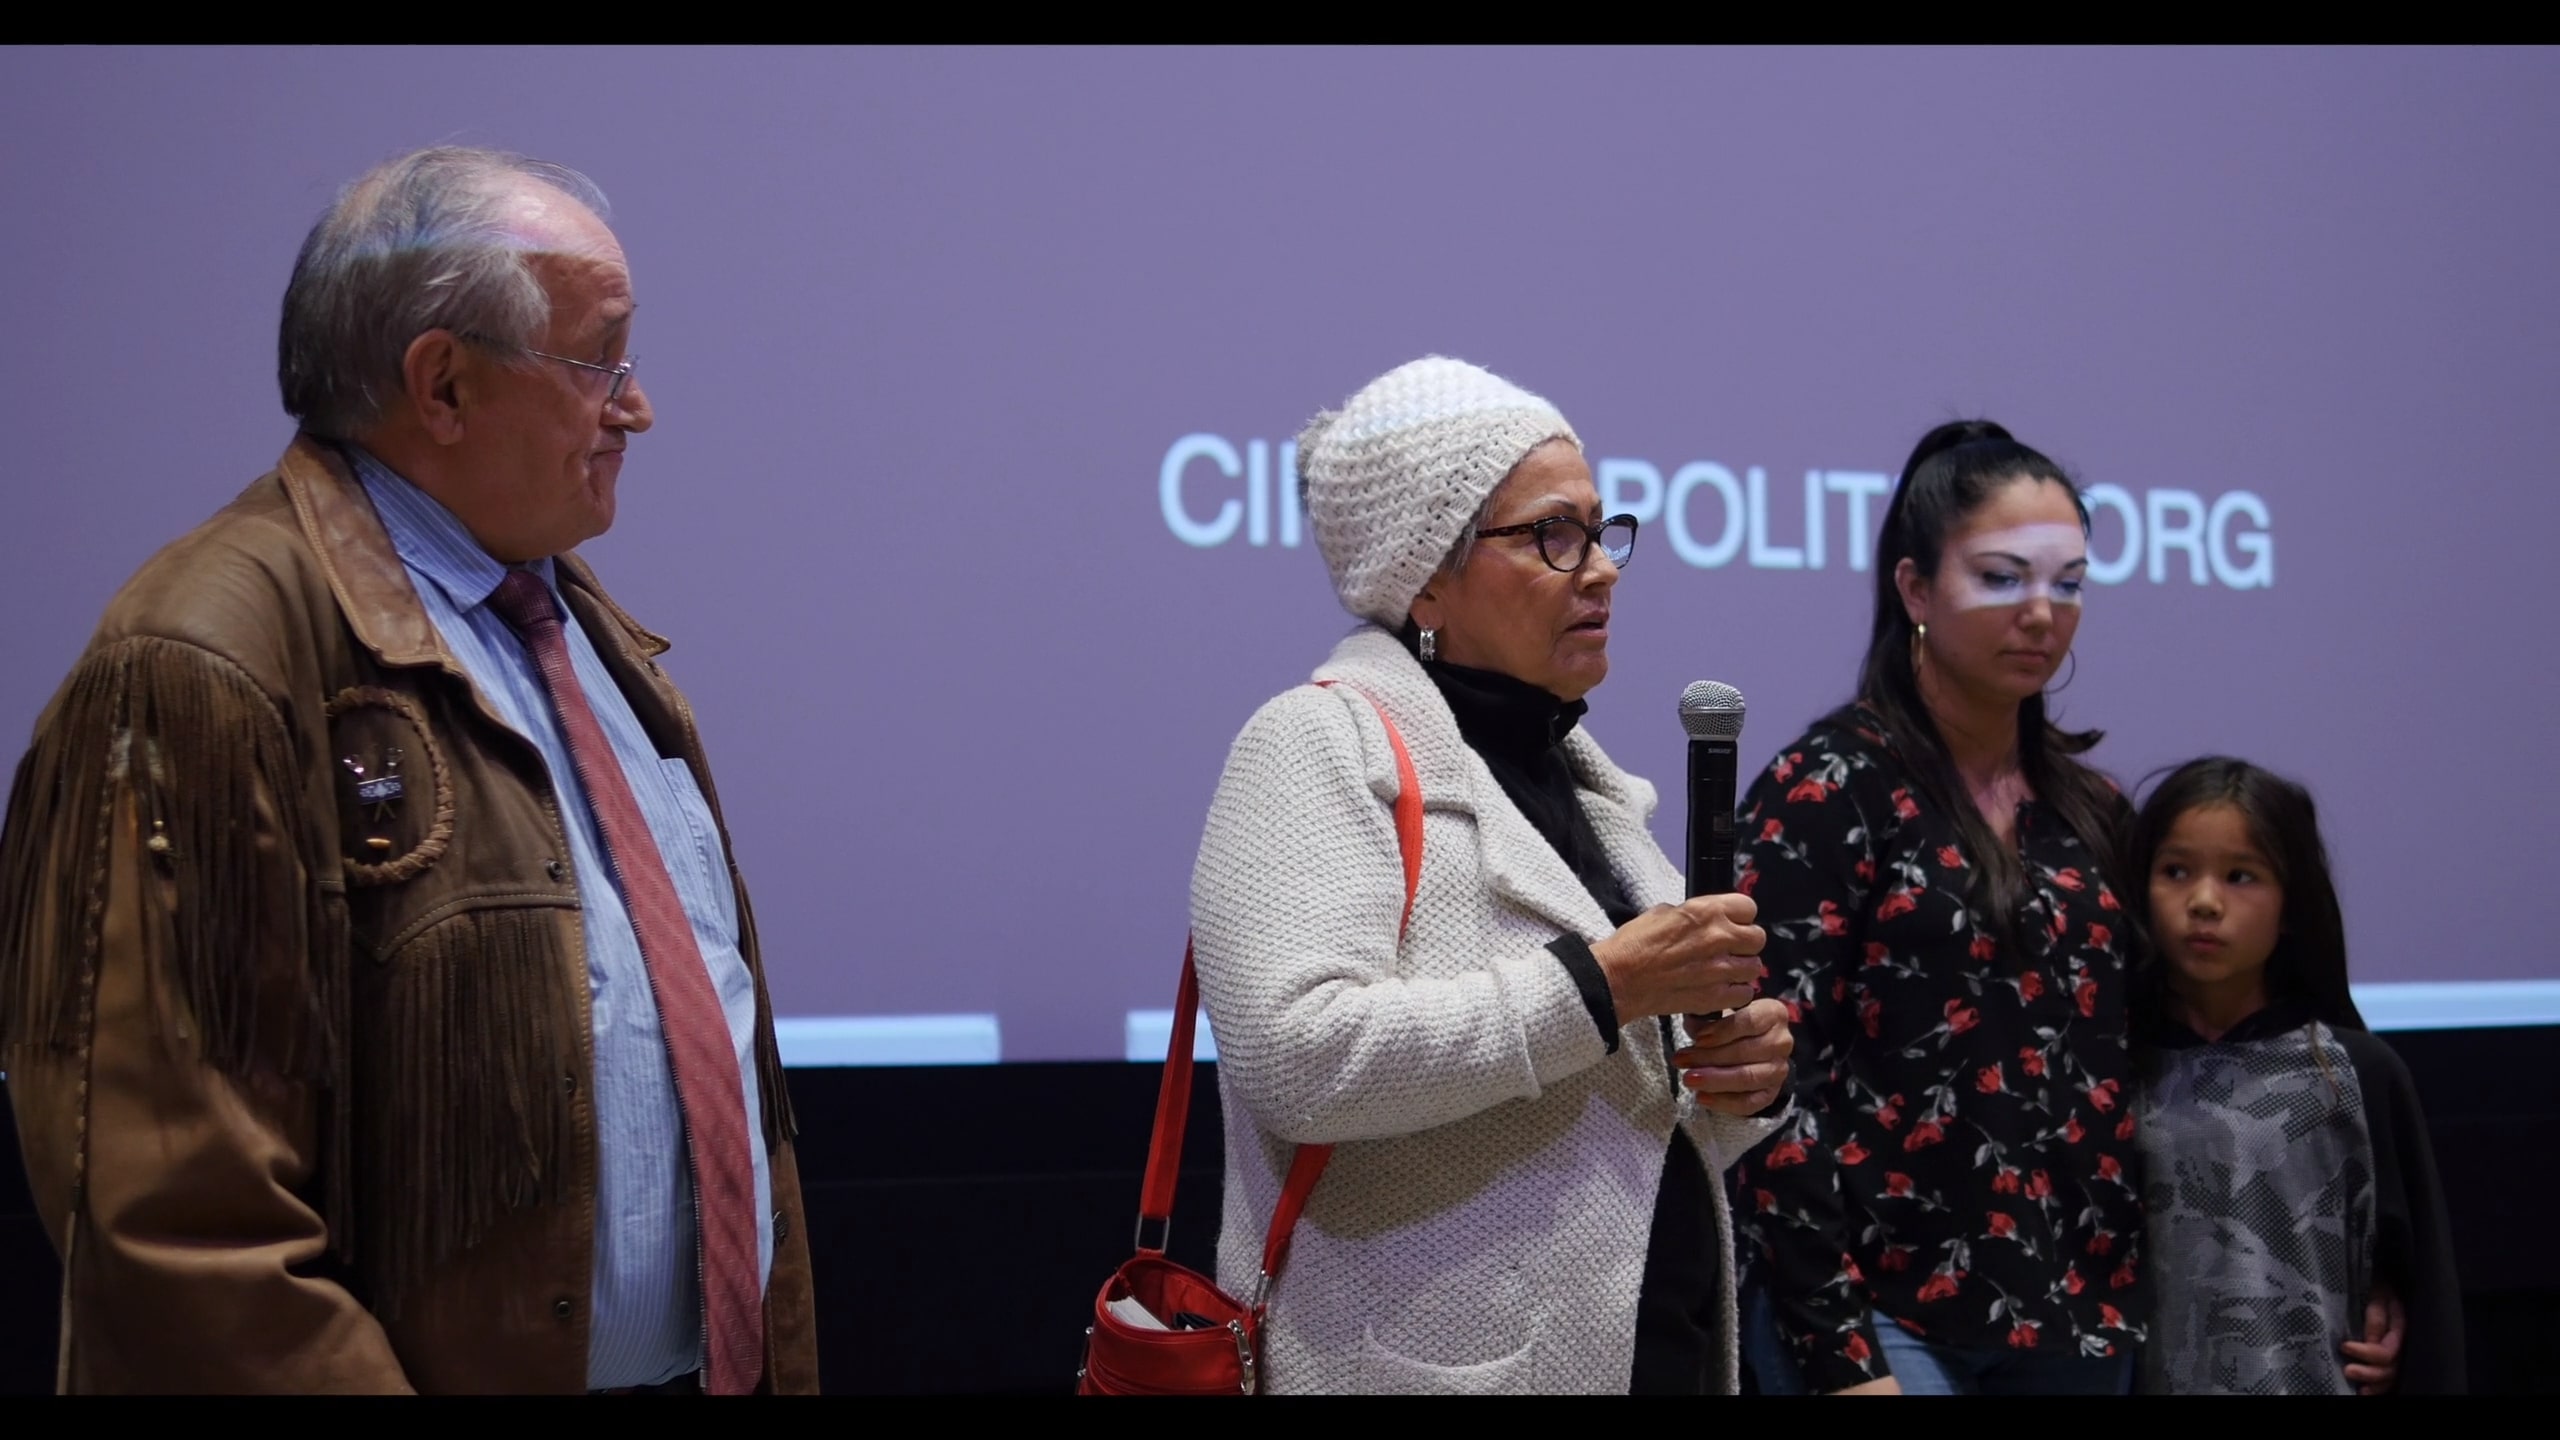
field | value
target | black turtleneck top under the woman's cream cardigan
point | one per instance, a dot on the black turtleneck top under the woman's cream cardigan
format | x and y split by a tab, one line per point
1519	732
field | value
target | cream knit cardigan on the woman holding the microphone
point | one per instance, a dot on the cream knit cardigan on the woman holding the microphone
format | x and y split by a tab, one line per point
1486	1216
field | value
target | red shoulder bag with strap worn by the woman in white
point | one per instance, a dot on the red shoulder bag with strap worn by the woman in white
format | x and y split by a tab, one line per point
1164	1329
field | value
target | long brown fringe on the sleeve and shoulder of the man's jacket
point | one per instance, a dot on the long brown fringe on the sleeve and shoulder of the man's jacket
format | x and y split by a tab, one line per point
252	949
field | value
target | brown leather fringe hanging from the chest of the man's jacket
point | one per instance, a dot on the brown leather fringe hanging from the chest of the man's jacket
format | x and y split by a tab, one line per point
470	1057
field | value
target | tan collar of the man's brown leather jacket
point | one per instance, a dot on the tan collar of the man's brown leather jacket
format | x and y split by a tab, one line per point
365	568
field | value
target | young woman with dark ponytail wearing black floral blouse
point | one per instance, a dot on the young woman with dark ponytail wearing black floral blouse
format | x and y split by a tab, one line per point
1952	1206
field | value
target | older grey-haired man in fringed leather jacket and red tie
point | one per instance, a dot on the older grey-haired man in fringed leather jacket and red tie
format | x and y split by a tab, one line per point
378	995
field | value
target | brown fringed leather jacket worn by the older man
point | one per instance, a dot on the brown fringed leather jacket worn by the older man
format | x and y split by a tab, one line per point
301	1077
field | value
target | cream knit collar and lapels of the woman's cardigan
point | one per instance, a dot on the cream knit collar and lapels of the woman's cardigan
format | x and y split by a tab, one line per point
1519	862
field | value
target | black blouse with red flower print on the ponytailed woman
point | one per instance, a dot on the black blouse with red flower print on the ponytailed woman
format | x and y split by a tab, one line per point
1962	1147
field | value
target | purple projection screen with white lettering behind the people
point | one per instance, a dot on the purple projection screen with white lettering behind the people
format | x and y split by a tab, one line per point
977	373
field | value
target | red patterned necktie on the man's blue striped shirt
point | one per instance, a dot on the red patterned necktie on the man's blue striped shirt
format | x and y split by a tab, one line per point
698	1034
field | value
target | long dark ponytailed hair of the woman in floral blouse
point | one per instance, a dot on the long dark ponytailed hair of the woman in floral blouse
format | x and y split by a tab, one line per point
1944	480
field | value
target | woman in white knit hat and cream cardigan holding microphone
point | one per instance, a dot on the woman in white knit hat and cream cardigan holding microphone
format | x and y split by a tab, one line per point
1524	1190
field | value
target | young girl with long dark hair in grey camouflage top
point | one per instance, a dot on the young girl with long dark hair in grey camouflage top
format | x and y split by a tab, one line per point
2287	1167
